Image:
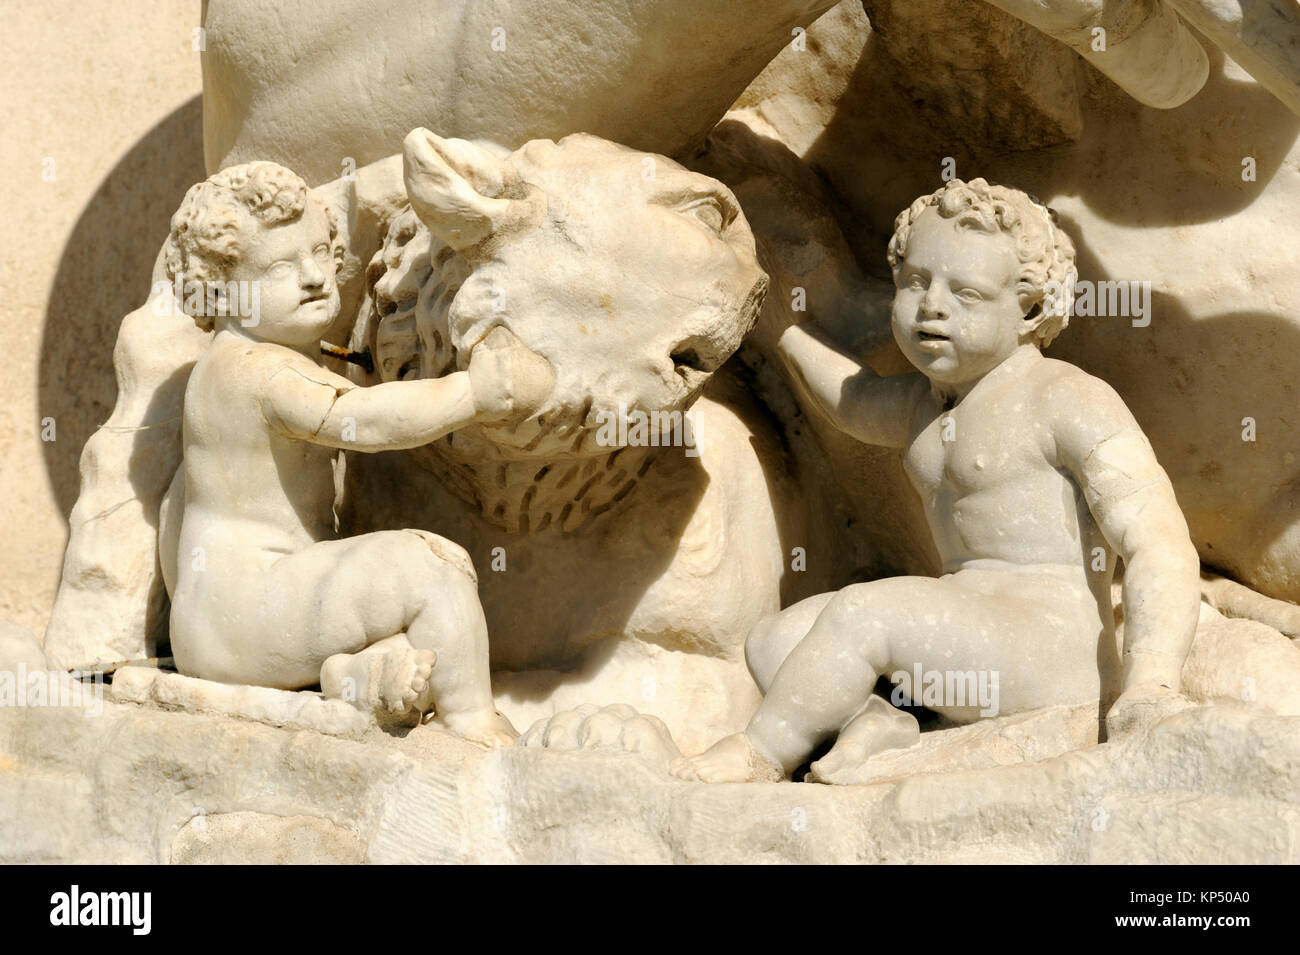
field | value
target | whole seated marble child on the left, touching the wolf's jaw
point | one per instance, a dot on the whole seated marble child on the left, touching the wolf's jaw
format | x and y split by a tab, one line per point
262	593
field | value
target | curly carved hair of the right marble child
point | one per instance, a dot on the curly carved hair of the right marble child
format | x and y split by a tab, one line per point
1048	274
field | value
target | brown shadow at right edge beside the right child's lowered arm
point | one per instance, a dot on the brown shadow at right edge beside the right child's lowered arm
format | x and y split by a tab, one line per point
1195	384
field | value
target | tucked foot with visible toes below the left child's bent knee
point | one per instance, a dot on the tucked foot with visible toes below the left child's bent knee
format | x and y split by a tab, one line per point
383	683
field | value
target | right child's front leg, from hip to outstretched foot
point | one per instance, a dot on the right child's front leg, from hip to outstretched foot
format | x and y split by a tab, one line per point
1037	639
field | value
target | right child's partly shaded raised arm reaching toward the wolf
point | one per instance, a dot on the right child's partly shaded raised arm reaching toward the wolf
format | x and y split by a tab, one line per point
859	402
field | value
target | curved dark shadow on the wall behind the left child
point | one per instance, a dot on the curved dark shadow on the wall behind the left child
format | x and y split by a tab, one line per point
103	275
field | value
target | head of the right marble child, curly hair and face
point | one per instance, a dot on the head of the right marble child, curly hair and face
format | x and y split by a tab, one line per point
978	271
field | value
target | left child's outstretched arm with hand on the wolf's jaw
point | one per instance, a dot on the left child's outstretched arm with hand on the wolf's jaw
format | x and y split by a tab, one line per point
315	405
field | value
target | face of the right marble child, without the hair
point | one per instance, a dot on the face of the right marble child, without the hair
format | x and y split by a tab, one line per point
956	312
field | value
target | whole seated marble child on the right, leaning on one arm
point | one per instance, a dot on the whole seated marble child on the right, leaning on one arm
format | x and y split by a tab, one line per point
1033	474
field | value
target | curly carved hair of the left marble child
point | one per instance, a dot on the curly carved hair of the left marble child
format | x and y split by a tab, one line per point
207	231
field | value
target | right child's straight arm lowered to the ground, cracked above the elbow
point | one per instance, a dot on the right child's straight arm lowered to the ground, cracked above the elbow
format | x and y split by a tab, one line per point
1133	502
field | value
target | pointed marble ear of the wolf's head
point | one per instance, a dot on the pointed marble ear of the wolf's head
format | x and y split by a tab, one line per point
462	192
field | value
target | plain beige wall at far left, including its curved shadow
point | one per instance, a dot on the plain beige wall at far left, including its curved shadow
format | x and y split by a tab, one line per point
111	93
